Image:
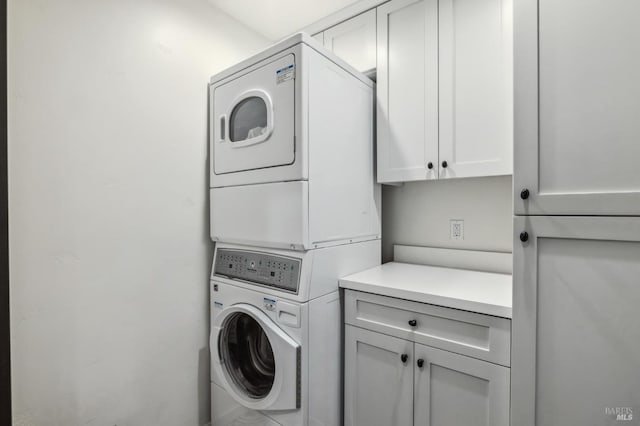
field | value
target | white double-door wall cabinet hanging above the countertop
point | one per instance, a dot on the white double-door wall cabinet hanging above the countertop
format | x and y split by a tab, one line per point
444	89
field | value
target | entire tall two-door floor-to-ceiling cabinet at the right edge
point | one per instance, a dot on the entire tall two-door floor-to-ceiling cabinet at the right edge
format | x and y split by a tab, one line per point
576	328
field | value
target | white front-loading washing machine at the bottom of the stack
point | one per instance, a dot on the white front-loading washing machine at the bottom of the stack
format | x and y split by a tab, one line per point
276	340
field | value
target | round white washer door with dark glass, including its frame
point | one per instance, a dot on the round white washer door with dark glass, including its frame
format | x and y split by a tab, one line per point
258	362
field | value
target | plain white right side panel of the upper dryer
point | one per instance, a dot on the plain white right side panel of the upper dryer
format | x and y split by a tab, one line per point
342	197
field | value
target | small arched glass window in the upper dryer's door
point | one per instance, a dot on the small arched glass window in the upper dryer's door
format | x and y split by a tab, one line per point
248	119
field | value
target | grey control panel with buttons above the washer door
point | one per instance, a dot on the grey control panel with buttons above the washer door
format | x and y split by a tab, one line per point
260	268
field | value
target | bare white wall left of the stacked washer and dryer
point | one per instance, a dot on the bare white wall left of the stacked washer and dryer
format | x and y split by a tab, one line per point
108	228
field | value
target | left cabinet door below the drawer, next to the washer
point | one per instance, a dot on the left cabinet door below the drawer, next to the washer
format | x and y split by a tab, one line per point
378	383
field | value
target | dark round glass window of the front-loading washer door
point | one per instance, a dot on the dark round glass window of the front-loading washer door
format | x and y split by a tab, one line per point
247	355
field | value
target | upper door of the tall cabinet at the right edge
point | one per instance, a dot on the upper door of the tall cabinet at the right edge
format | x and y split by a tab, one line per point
577	107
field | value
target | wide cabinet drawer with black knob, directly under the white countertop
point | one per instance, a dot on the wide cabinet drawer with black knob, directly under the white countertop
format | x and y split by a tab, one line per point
476	335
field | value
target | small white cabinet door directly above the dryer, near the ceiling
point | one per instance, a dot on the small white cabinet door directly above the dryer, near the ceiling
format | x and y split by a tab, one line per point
355	41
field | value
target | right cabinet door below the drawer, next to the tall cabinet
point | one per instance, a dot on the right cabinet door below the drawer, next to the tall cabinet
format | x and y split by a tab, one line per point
455	390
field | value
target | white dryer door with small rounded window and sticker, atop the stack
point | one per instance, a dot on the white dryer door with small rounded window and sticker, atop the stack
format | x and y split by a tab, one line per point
253	119
